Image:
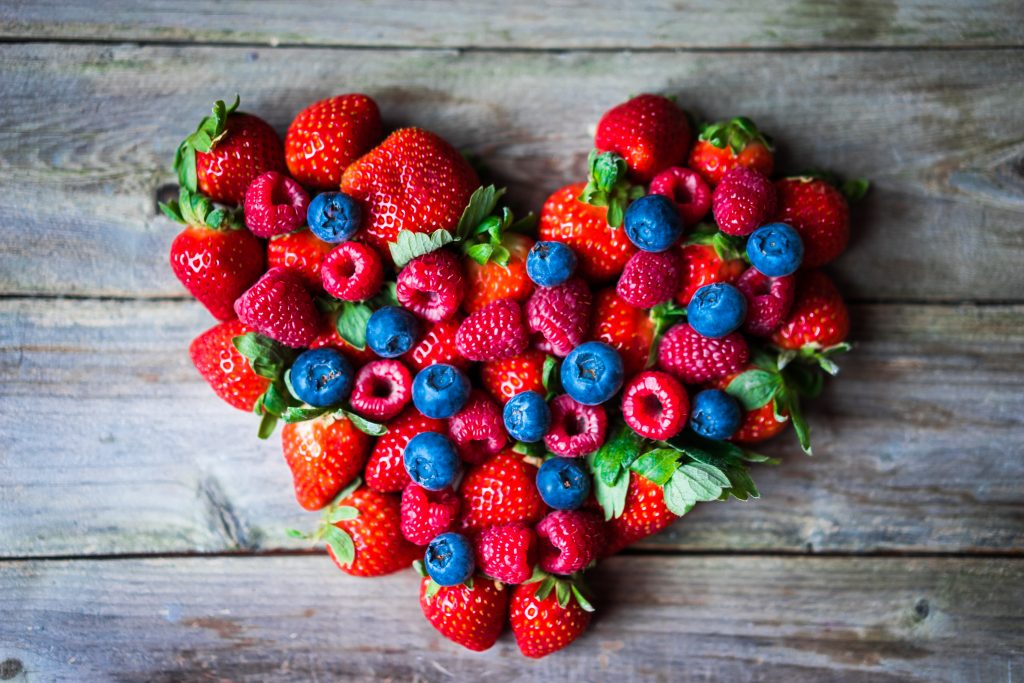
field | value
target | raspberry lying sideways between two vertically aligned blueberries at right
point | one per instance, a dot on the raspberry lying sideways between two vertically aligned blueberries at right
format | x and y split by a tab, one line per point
694	359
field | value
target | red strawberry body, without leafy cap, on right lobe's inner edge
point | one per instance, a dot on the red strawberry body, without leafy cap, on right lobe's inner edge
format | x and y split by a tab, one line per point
602	251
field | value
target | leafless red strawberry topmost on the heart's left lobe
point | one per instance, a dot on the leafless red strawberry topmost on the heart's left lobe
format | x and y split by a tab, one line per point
329	136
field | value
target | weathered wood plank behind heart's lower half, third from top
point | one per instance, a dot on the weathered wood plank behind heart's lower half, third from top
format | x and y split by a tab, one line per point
111	444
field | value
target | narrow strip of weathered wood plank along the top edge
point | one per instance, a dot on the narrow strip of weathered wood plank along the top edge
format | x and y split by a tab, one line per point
649	24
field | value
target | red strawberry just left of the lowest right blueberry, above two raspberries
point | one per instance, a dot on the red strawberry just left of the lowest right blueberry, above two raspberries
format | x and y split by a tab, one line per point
500	491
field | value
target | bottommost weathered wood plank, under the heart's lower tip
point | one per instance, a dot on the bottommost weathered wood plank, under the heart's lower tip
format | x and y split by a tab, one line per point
661	619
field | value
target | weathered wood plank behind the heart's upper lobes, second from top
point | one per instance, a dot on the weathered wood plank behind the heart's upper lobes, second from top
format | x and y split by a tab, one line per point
88	132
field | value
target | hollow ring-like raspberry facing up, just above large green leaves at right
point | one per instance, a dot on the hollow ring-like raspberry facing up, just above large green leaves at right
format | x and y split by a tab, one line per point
656	405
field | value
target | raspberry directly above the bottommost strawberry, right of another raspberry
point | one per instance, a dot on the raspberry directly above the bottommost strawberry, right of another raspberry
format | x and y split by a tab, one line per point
570	540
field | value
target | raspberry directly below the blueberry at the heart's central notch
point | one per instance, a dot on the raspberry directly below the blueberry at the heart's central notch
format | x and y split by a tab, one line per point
560	317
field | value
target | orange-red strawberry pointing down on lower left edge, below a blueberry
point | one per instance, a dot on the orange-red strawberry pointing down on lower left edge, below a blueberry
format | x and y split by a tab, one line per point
325	455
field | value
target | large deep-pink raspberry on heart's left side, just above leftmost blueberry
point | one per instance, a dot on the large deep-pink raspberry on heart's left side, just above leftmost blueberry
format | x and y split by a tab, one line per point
280	307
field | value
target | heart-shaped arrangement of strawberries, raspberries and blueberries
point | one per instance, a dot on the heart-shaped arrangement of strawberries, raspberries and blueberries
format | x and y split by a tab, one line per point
504	402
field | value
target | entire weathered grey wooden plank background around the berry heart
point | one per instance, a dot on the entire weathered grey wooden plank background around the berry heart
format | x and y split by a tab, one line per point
142	522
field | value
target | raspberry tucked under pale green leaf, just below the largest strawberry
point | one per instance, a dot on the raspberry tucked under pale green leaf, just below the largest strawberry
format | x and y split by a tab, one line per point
433	286
